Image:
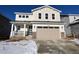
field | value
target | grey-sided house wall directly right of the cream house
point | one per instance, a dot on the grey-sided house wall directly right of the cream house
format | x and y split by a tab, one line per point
66	20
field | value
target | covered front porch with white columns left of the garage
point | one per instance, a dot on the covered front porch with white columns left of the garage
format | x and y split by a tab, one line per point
21	30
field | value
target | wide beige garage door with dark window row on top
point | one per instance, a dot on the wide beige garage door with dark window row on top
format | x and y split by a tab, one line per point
47	33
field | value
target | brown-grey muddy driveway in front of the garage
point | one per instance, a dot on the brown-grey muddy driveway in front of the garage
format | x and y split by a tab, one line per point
57	47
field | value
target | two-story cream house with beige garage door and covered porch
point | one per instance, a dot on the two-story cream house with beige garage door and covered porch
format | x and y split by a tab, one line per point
43	23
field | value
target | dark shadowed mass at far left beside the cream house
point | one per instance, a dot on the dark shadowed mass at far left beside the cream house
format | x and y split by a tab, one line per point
5	27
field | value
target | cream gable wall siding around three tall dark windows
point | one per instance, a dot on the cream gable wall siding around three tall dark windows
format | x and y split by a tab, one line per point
49	11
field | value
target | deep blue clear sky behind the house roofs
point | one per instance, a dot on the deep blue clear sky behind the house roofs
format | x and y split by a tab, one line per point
8	10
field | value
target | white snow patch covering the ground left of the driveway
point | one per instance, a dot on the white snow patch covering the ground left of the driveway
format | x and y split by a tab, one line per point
18	47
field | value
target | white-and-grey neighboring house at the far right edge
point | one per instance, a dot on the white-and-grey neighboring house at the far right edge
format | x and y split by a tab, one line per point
74	24
